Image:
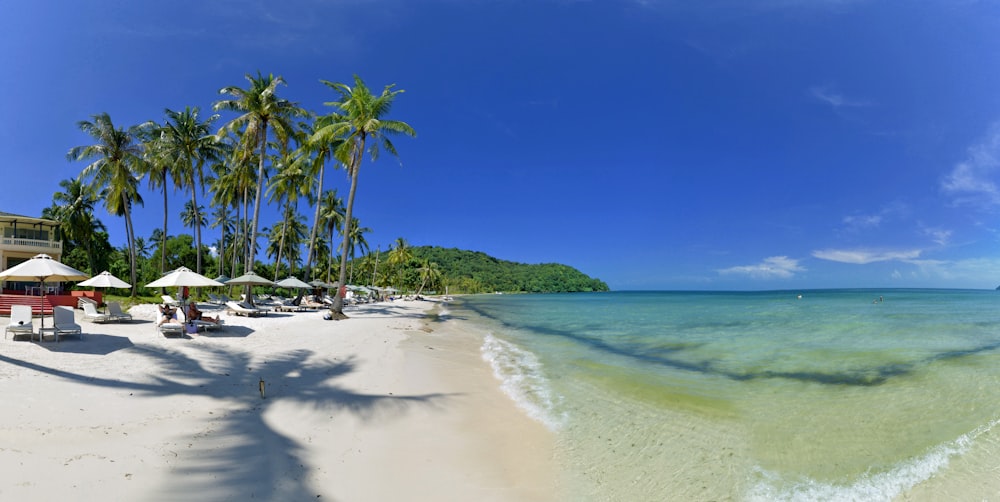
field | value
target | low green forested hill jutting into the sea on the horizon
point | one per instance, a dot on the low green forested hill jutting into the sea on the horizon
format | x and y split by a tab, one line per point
476	272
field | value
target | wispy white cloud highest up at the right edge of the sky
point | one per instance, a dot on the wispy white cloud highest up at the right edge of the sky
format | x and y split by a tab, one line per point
971	182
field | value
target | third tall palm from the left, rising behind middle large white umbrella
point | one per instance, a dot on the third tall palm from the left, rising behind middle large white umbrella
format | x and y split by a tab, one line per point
187	144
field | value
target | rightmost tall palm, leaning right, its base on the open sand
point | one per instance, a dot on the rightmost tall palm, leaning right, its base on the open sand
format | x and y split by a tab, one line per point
360	120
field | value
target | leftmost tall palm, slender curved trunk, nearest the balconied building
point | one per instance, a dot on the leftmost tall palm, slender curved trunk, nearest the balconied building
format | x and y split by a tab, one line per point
117	160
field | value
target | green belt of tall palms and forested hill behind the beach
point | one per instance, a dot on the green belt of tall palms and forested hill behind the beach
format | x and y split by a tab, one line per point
262	149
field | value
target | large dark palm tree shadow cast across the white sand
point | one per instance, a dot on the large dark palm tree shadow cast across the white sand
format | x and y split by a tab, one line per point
237	455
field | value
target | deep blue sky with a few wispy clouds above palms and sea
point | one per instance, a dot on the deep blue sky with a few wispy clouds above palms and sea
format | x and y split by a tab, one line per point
770	144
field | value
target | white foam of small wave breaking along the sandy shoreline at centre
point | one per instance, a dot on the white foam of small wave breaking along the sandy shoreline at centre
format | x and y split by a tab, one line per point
522	379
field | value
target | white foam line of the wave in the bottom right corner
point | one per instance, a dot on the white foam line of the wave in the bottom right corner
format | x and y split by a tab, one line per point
874	486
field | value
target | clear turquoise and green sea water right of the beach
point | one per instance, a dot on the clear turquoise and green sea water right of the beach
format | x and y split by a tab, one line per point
757	396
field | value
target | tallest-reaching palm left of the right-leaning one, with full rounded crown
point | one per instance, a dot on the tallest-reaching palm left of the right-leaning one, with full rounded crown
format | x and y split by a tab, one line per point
260	108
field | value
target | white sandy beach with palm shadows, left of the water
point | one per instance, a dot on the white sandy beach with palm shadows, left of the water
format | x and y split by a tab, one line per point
391	404
